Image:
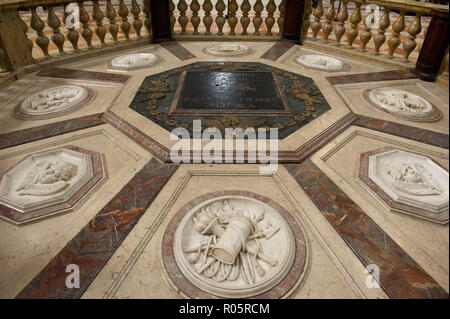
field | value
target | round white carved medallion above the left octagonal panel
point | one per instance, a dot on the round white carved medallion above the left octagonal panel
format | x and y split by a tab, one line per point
51	102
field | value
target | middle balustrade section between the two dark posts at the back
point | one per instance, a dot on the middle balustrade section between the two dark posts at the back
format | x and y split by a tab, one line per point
233	18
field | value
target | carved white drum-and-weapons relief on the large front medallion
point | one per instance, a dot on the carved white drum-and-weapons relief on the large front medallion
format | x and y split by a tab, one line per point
231	246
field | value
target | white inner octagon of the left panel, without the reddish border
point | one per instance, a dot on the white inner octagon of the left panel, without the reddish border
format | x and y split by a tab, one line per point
44	179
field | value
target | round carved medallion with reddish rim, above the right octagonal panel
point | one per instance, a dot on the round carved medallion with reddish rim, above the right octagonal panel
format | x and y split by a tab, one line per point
404	104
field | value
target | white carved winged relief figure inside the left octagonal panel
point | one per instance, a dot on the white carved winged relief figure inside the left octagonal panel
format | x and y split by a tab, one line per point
47	178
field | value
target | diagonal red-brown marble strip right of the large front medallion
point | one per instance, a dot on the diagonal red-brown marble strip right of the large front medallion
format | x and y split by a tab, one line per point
400	276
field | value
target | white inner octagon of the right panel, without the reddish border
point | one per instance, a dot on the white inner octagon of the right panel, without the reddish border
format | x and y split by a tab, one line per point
411	179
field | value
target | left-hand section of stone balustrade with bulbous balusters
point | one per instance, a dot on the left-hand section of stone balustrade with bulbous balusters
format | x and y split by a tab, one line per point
57	29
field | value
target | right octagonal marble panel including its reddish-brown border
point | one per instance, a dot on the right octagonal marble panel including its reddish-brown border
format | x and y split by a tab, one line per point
407	182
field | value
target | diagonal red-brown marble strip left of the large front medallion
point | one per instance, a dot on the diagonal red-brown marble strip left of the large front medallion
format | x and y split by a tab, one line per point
91	248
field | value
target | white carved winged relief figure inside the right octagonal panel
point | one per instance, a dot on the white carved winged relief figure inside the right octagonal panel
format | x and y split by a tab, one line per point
413	179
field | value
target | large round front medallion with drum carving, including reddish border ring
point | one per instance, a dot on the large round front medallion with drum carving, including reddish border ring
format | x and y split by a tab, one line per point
234	244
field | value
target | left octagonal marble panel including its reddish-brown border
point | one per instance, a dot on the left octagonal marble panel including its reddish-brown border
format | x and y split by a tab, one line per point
48	182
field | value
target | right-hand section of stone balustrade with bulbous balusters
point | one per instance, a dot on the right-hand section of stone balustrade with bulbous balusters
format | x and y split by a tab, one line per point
391	29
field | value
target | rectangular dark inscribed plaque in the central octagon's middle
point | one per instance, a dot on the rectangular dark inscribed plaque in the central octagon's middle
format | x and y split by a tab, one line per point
204	93
